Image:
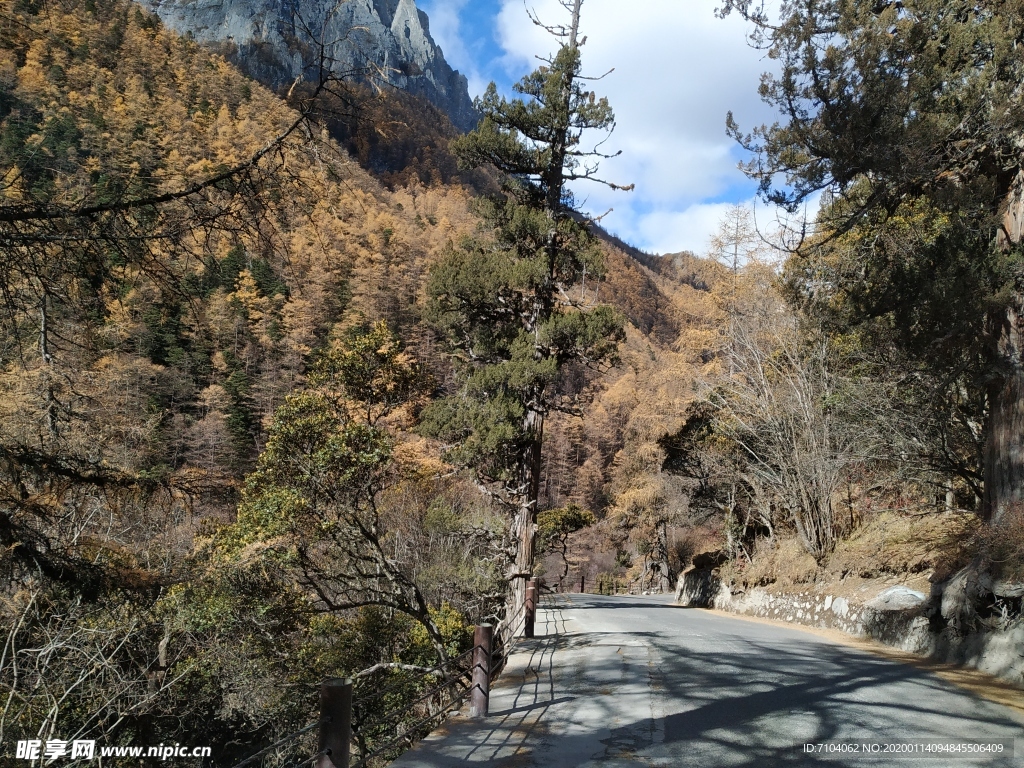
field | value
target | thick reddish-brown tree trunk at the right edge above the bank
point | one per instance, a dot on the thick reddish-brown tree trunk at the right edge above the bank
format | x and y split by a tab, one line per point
1004	459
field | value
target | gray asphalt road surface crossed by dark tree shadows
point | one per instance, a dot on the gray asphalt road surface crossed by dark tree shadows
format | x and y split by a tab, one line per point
636	681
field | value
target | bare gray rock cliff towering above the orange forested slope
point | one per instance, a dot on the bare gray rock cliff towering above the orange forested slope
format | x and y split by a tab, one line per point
278	40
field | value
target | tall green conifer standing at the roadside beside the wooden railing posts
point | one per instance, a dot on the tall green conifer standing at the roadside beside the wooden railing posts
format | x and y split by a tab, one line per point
506	308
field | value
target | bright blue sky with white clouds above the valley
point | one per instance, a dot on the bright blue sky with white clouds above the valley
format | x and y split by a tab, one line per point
678	71
